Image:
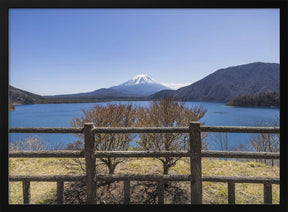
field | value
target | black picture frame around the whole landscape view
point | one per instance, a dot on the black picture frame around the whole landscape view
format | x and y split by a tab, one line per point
4	73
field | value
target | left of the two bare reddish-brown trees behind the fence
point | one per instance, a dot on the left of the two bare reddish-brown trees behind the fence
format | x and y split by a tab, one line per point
112	115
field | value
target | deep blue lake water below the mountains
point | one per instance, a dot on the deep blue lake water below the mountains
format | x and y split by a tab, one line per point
59	115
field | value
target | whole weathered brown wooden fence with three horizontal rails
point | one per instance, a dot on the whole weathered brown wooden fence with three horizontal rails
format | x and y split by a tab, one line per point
195	154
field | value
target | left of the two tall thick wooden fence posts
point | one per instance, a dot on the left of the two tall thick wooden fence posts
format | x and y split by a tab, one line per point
90	163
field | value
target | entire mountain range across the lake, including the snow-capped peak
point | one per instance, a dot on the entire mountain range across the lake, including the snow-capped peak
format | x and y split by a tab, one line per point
222	85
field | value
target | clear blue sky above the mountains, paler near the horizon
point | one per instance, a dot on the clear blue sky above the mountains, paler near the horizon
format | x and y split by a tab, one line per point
65	51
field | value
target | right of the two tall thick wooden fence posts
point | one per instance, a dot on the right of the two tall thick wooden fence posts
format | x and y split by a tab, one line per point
195	163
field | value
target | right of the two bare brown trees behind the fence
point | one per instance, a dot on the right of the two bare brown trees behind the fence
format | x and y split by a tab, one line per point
167	113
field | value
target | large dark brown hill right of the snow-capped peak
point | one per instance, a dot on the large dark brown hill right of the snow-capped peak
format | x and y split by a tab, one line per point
226	84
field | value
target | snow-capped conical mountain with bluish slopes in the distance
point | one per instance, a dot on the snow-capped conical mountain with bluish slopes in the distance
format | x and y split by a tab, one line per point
140	85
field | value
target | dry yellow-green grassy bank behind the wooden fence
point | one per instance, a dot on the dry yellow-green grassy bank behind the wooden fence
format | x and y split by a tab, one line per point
213	193
